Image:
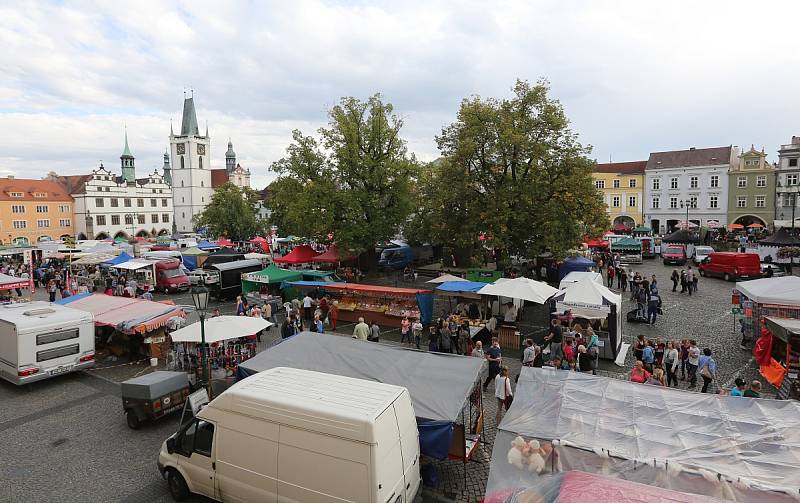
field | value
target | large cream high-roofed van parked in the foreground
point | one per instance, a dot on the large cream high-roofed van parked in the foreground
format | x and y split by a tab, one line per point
289	435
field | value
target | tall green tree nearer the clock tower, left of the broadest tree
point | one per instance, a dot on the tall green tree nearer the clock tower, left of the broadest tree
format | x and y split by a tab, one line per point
353	181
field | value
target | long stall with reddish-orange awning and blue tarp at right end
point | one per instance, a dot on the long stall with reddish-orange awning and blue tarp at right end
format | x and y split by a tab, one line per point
384	305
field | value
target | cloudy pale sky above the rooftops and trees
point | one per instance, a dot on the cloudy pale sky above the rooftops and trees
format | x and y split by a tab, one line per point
634	77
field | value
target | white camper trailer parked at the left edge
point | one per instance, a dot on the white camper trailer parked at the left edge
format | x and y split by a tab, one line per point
40	340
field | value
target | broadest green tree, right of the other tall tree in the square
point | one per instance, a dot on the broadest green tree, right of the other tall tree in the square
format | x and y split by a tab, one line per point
512	168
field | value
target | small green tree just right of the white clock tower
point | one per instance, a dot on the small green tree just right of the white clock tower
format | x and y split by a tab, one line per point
233	213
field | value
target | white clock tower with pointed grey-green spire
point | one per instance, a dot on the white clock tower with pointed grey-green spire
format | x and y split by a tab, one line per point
190	169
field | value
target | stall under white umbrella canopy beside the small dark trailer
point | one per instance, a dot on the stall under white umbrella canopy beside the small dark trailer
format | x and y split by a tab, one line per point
231	340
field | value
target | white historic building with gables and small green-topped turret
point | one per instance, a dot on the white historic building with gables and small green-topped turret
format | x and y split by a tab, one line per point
110	206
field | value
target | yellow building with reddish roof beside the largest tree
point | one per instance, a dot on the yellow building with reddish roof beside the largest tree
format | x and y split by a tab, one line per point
622	184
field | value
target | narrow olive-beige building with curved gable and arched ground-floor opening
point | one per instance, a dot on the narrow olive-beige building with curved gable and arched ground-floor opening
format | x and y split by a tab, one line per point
751	190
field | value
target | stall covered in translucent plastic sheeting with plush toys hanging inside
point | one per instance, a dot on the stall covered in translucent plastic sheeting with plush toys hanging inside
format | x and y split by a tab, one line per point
716	446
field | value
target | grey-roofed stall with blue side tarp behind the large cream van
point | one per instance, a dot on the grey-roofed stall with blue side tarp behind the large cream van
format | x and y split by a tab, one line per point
444	388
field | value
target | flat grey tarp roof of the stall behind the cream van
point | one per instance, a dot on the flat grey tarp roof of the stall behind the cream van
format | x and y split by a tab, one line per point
439	384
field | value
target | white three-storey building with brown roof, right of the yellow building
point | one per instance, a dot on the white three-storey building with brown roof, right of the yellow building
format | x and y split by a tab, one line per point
695	180
